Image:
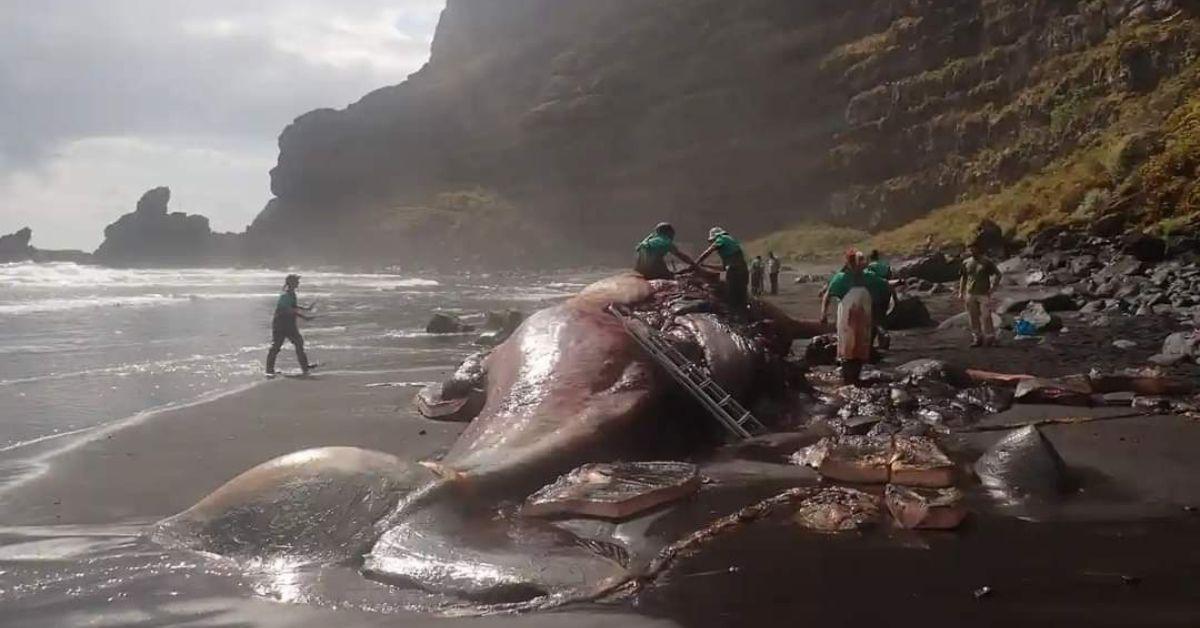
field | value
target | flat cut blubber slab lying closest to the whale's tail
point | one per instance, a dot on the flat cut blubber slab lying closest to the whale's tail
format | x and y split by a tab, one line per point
615	491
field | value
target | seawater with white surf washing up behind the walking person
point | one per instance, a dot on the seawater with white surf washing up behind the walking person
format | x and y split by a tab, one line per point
83	346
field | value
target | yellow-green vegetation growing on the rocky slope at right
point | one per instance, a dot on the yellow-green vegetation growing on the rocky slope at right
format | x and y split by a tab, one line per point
1105	135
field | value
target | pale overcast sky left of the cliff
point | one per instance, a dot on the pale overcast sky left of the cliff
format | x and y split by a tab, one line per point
101	100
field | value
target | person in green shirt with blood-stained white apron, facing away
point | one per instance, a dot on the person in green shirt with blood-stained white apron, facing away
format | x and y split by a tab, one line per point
854	289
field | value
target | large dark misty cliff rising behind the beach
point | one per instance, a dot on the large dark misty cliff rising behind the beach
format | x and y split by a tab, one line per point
584	123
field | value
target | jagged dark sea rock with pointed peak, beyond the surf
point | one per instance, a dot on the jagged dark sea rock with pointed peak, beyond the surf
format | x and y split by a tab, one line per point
151	236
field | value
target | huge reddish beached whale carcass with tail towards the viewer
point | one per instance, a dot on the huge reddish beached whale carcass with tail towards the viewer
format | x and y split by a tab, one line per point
568	388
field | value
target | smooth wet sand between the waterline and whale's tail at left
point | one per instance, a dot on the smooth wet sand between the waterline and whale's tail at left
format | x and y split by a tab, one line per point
163	464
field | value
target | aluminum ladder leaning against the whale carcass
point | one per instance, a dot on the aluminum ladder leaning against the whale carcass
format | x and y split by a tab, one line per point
740	422
